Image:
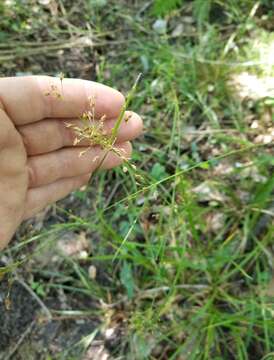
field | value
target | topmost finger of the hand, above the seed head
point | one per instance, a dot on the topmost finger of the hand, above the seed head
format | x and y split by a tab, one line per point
32	98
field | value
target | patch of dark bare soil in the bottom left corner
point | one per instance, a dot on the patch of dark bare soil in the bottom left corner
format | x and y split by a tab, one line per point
24	325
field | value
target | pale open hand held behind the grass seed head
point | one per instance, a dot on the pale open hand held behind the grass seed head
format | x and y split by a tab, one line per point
38	162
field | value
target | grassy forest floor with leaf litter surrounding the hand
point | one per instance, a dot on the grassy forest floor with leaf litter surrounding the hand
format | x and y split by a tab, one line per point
180	266
